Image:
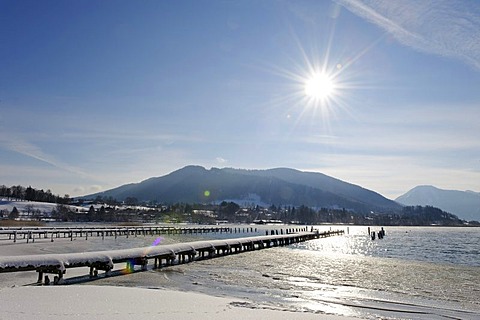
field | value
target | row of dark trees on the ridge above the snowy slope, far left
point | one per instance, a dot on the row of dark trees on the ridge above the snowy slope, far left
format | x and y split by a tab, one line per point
31	194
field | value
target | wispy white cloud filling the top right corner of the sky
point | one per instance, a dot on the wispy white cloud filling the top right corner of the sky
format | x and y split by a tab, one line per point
449	28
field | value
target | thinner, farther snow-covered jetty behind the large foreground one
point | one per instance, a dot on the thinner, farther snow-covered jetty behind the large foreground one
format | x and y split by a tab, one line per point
32	233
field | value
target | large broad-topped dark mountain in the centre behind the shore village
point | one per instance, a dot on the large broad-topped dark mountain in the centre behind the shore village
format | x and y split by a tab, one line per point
279	186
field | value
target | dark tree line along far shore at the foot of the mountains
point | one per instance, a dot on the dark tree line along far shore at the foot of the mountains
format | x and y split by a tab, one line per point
113	210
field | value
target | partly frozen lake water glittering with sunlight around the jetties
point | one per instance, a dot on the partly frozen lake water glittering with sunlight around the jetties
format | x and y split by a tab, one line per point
412	273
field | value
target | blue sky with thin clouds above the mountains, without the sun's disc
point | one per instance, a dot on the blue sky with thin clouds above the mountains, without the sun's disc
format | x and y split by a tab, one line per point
96	94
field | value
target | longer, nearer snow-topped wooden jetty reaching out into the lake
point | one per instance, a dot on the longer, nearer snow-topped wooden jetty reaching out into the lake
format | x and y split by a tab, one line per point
161	255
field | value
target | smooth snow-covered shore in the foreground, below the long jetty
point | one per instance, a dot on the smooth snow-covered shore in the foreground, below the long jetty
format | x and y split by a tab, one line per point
109	302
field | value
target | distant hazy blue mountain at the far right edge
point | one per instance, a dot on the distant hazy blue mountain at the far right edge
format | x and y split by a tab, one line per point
464	204
